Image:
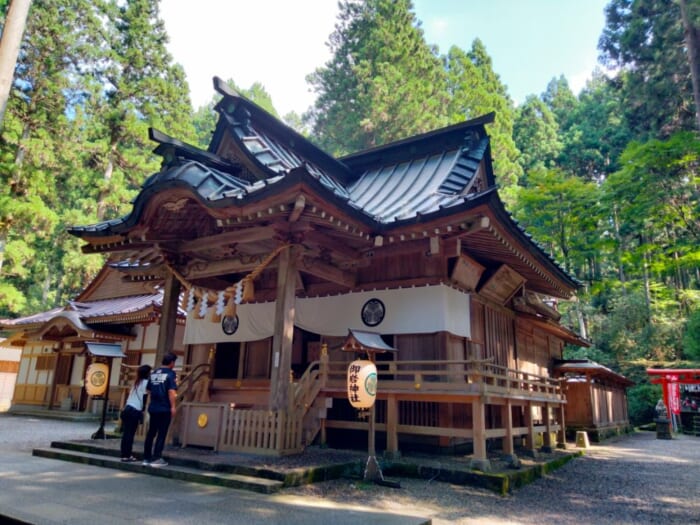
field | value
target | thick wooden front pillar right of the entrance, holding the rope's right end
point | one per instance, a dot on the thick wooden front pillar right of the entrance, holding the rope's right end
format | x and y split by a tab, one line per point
284	330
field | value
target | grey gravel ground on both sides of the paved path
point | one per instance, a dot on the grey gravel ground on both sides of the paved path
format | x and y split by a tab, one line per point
636	479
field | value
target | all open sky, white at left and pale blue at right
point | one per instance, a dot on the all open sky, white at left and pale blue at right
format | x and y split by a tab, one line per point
279	42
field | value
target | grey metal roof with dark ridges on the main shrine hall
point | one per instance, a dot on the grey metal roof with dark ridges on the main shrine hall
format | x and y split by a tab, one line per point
419	179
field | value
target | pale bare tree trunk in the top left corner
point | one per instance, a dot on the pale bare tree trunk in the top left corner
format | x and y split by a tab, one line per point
9	48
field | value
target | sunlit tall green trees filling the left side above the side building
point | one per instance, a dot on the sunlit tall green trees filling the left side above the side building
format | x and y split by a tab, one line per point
90	80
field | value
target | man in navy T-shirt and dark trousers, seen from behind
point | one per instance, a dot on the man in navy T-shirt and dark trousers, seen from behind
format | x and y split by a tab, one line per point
162	387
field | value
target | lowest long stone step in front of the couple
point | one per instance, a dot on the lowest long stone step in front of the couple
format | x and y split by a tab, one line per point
172	471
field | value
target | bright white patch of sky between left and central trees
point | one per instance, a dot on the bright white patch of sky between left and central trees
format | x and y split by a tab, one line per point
274	42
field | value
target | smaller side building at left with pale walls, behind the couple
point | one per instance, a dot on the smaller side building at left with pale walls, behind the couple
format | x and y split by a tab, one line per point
116	313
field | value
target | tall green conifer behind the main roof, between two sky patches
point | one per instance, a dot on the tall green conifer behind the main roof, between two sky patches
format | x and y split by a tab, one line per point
383	82
